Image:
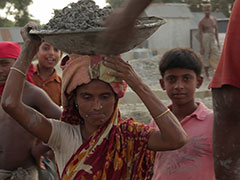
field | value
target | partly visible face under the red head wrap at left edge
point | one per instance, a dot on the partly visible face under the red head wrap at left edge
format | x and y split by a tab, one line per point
5	64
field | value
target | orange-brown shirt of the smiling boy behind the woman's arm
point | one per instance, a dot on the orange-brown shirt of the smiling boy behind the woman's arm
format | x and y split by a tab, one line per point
52	85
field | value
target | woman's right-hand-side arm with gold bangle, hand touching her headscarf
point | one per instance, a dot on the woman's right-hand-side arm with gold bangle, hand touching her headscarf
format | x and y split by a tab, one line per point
171	135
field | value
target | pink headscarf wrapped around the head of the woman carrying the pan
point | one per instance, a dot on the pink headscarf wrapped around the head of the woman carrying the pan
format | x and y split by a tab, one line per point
78	70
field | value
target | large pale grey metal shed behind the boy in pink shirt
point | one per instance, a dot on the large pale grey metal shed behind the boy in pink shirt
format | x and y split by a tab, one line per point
175	32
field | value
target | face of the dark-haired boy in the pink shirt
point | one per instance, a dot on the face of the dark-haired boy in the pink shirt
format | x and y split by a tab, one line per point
180	85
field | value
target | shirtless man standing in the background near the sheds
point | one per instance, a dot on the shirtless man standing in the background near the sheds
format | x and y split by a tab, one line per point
208	34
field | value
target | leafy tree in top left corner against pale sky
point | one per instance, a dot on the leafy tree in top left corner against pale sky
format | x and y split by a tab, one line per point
16	8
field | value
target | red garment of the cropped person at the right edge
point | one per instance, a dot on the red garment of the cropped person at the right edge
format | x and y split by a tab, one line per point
228	70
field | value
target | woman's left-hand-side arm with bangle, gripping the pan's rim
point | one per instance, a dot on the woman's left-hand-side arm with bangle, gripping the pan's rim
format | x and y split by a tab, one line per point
11	100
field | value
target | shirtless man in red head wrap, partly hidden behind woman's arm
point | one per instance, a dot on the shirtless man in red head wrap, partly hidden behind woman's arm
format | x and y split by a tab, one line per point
16	144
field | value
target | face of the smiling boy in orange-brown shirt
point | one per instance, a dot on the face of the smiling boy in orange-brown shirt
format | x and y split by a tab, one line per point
48	56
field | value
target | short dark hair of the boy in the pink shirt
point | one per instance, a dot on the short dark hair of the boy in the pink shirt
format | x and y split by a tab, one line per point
184	58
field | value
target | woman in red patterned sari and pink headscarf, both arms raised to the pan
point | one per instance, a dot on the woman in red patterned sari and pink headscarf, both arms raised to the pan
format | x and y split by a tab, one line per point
92	141
